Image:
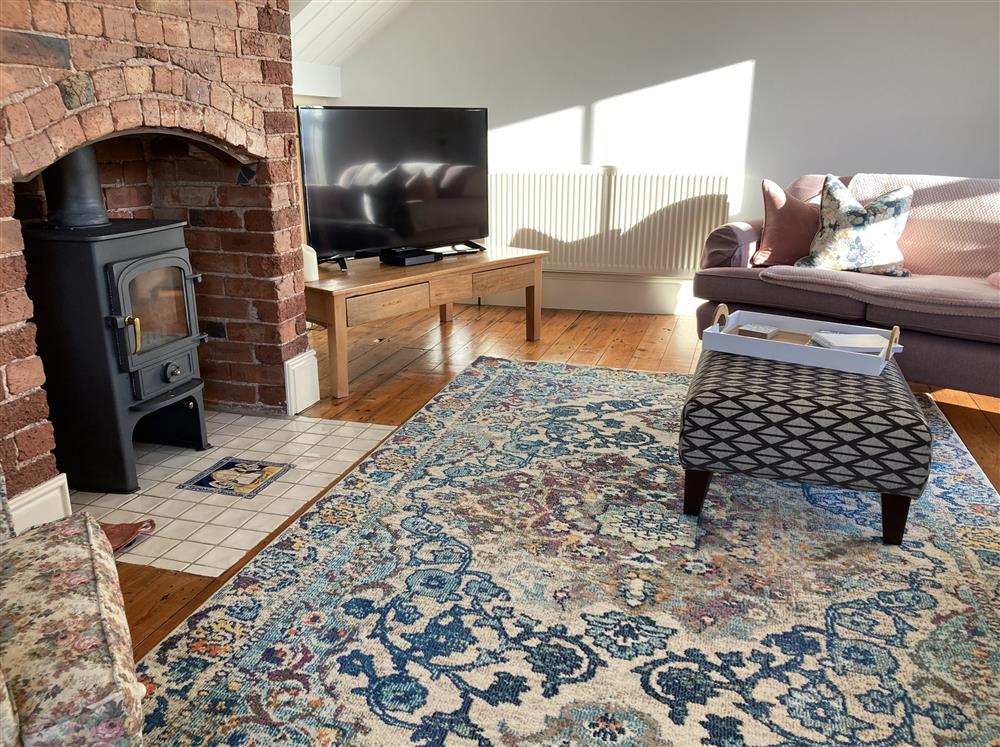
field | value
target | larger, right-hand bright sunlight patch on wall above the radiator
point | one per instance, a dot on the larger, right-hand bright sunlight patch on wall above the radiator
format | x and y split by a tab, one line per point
694	125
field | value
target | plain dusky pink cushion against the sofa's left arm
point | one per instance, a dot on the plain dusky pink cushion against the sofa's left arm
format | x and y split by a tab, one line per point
790	224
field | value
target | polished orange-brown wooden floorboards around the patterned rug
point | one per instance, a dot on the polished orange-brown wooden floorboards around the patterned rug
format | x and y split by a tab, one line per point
398	365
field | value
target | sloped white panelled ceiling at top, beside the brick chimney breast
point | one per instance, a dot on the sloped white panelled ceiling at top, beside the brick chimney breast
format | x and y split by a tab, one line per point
327	32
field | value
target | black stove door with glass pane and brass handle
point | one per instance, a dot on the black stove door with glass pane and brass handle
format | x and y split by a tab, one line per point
156	308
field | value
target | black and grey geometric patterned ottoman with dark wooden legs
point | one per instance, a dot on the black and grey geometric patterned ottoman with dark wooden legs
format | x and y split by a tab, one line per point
790	422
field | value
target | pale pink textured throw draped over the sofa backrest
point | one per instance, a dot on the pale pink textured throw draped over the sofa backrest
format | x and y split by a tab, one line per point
952	229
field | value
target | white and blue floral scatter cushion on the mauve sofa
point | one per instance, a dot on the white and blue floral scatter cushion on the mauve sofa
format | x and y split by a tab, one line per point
856	237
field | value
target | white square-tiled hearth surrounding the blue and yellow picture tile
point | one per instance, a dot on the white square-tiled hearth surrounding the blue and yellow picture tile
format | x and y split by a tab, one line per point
207	532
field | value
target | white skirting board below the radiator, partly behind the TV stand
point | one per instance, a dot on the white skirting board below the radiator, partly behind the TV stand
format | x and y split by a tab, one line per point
589	291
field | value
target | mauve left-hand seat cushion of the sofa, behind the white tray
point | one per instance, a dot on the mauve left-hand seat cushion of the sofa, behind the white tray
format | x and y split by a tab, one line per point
743	285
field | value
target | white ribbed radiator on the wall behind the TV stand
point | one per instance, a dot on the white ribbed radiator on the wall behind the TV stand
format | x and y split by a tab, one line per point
607	221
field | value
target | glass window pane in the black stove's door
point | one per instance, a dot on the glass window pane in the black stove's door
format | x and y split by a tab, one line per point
157	299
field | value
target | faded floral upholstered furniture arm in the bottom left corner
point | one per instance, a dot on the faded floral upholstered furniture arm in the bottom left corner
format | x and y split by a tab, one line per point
65	648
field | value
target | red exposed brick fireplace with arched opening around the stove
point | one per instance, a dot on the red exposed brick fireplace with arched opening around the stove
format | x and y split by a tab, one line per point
189	103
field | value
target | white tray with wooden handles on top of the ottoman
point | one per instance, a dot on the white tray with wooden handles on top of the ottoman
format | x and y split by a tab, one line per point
791	344
